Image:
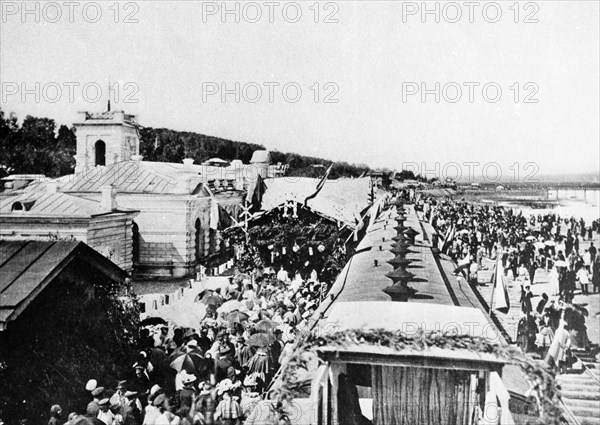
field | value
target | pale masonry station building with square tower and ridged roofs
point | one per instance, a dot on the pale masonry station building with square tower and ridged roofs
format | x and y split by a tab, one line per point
165	225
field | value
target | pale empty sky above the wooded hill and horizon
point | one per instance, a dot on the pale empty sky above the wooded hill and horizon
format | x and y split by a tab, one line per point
375	82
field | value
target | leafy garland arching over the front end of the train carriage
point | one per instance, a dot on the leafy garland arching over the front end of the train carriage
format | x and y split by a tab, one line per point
539	375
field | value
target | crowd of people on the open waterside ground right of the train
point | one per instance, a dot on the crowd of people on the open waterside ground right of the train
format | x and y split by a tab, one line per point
470	233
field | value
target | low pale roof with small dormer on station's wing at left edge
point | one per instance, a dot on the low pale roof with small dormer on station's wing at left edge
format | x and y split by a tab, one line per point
43	203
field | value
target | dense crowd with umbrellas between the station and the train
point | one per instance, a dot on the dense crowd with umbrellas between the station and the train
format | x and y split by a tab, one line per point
217	373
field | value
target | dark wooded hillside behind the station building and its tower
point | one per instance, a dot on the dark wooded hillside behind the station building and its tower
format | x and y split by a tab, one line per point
36	146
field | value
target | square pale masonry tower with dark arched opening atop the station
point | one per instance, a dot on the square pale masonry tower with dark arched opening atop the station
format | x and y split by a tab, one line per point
106	138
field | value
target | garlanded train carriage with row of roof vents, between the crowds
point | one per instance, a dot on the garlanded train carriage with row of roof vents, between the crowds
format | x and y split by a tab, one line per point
379	358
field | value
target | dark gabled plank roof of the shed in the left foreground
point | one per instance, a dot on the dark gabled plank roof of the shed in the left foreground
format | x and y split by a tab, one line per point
27	267
